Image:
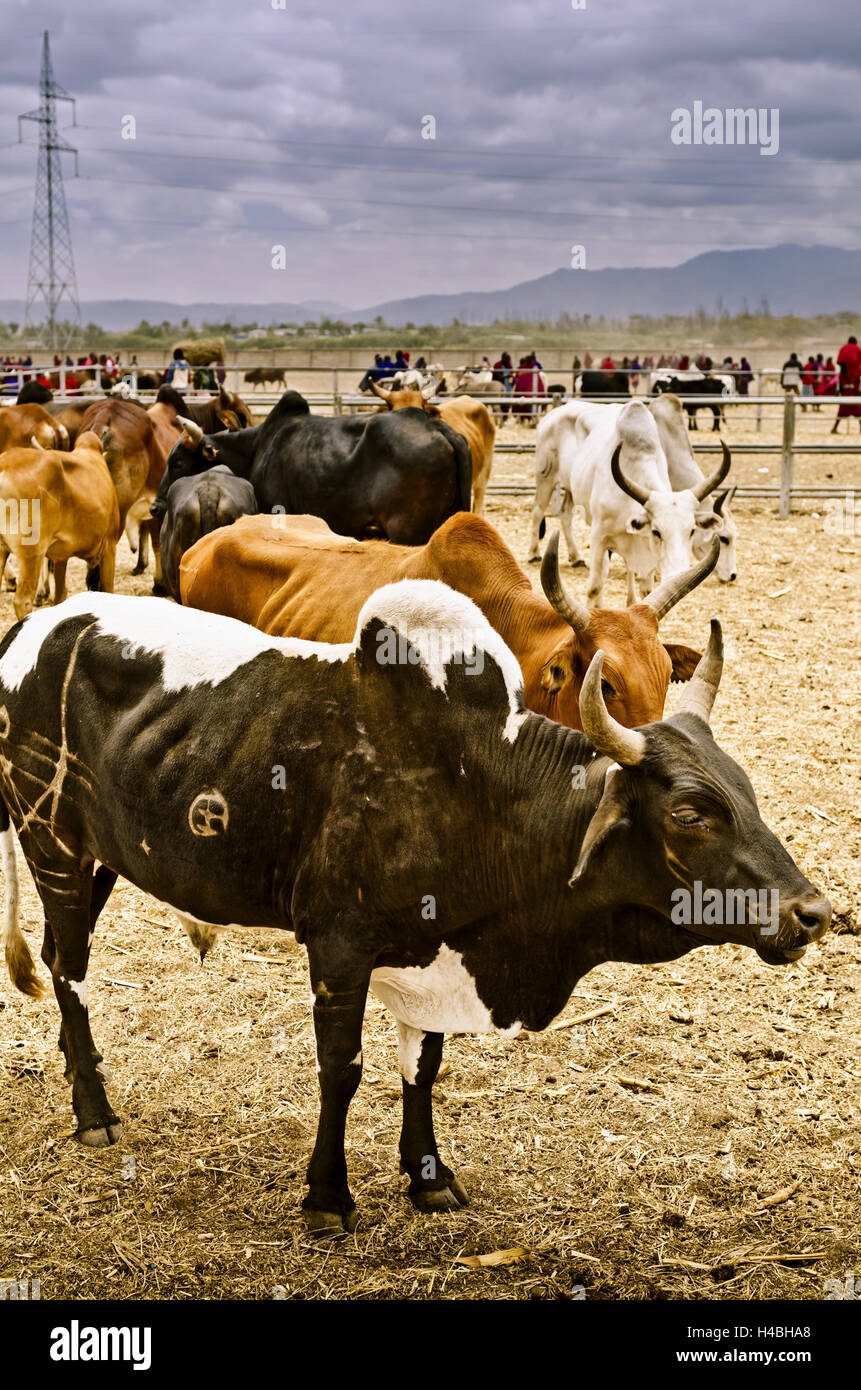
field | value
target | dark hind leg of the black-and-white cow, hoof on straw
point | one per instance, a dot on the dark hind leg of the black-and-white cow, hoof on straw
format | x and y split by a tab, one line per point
72	903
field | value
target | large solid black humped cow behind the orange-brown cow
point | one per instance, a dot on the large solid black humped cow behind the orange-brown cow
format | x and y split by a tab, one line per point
396	476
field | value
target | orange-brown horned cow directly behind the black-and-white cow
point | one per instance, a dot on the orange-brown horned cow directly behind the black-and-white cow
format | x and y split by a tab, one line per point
294	578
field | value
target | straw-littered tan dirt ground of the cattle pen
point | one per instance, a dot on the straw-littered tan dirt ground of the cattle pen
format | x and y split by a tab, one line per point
696	1136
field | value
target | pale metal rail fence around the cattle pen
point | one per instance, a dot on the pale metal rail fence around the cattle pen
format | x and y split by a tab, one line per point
789	401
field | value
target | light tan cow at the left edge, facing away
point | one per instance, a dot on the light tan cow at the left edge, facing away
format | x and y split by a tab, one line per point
56	507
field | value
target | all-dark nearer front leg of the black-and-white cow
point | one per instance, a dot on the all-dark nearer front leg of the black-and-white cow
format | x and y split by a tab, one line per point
340	988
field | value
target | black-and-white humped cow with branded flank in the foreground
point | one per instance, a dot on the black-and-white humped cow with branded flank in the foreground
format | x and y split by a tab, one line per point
393	804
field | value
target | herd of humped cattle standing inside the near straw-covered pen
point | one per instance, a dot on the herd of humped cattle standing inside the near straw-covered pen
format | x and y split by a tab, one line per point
361	723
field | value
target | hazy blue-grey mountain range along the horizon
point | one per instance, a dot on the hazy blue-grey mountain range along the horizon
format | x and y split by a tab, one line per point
794	280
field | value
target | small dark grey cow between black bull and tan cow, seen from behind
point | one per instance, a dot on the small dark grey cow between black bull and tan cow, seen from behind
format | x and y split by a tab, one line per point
197	507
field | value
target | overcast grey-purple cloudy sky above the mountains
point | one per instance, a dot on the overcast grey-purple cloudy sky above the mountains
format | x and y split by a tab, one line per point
265	123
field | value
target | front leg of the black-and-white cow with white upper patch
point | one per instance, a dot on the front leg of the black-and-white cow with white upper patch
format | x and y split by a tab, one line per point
433	1188
